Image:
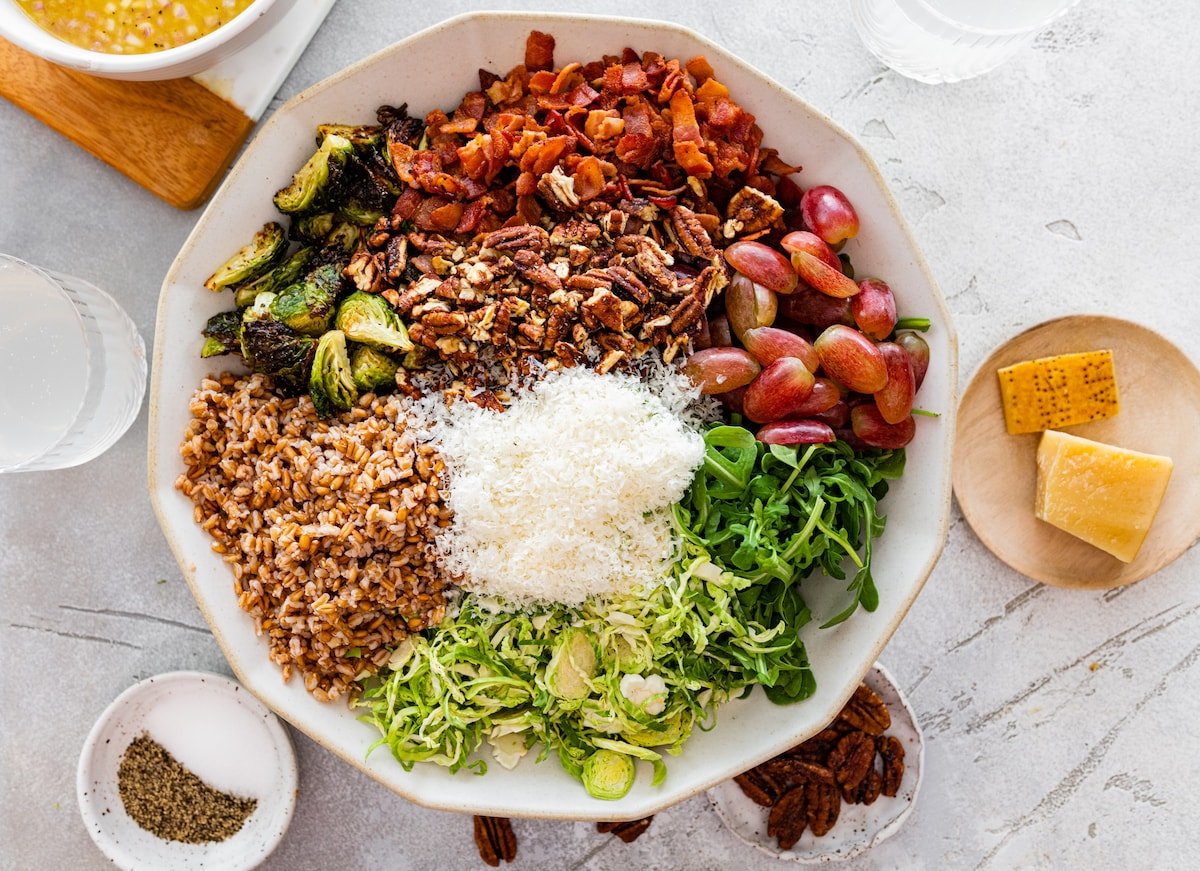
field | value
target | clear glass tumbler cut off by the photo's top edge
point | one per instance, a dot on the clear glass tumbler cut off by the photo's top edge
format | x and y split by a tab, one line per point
951	40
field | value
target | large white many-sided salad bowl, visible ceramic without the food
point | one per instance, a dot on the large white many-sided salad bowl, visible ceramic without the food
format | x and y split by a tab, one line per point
415	71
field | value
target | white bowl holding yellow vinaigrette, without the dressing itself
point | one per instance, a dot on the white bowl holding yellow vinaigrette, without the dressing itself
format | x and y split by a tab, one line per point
173	63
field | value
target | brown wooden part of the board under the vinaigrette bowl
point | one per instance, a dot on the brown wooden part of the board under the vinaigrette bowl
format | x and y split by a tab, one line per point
175	139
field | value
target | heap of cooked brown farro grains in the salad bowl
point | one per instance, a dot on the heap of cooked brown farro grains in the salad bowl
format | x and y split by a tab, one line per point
327	525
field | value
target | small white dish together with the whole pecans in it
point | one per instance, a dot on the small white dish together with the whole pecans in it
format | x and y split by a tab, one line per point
839	794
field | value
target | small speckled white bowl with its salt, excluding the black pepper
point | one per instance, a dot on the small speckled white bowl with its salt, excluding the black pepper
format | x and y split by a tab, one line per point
221	734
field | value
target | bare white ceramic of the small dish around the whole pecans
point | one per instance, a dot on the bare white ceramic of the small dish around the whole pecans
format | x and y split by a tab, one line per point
860	827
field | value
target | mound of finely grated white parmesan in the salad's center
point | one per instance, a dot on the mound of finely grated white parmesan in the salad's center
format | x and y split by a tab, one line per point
567	495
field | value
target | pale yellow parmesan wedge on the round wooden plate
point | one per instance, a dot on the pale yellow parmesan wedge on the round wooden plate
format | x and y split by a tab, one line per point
1102	495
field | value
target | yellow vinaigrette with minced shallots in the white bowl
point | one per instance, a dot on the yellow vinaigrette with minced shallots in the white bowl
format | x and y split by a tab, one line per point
131	27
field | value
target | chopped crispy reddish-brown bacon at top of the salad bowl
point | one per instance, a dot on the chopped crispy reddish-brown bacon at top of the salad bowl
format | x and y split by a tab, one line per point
640	118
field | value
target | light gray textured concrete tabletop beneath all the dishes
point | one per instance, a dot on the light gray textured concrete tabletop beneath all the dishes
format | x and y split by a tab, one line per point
1060	725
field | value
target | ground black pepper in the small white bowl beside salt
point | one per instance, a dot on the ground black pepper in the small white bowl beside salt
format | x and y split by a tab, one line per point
169	801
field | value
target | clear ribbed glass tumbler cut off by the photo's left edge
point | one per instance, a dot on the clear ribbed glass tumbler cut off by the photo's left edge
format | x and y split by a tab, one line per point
73	369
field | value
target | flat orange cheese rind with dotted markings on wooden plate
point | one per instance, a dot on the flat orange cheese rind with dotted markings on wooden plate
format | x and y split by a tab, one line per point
1058	392
